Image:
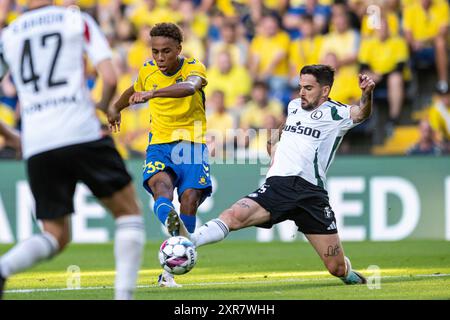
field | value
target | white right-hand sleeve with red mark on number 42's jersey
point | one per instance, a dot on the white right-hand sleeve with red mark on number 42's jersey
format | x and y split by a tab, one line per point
95	43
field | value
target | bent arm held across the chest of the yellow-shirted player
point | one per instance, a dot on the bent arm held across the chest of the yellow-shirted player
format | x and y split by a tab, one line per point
177	90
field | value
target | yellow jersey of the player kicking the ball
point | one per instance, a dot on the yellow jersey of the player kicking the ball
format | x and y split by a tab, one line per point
174	119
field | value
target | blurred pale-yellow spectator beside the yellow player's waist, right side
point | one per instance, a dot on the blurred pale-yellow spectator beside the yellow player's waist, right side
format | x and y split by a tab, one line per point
219	121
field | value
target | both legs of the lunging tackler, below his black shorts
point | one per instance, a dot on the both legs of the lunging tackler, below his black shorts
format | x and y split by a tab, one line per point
246	213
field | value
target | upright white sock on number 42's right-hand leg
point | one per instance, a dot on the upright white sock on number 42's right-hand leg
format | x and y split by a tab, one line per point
129	242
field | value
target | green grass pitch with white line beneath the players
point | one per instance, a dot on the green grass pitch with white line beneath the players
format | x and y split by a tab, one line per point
249	270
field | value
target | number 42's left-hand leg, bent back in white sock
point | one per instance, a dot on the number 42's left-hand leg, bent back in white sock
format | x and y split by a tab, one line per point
30	252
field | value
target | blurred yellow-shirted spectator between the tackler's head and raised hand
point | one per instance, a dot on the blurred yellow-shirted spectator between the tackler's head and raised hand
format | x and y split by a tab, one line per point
345	87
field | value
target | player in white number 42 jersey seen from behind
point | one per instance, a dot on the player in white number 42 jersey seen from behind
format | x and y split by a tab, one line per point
61	137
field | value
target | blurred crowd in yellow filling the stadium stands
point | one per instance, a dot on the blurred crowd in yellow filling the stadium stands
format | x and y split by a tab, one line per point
254	49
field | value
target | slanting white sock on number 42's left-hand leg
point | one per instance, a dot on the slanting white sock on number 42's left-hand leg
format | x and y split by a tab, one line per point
28	253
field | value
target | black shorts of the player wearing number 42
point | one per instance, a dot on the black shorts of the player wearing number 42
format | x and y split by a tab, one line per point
53	175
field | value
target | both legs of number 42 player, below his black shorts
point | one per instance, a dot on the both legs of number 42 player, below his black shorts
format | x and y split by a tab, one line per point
129	242
